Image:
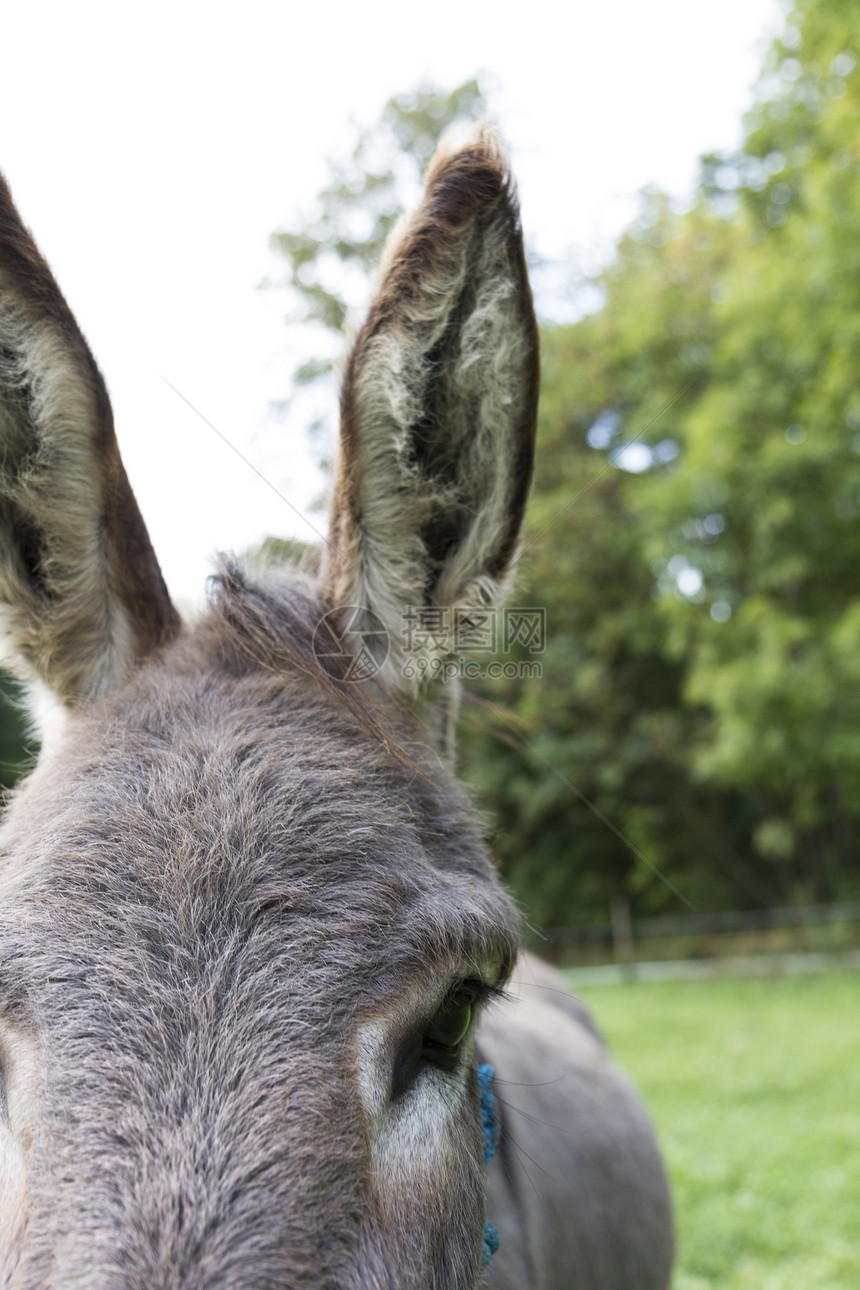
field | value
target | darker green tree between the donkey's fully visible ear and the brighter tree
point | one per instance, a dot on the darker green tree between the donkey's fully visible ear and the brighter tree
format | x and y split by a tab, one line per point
591	785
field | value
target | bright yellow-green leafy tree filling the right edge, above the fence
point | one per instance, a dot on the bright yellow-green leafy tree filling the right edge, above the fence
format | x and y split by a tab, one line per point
773	451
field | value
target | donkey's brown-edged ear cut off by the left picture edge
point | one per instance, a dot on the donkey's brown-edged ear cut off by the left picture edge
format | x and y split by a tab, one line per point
82	595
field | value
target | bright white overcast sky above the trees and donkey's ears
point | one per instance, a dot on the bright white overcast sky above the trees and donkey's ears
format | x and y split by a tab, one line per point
153	150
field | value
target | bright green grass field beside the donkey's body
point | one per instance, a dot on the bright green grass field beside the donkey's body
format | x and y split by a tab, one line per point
755	1087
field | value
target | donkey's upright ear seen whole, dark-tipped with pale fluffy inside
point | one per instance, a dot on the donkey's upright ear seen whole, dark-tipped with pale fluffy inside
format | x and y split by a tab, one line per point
438	425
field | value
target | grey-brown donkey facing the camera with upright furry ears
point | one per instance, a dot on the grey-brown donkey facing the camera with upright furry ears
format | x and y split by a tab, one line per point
252	945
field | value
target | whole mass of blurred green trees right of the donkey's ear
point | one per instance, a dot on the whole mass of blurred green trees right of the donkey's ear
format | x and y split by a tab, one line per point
703	664
